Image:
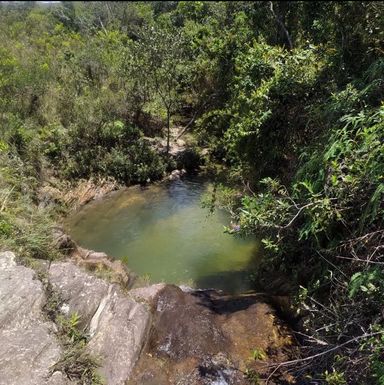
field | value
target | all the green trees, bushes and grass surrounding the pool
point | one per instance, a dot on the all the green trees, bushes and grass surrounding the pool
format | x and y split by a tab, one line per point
288	96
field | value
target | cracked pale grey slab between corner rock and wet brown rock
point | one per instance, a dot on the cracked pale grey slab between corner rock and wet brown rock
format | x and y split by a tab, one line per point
117	324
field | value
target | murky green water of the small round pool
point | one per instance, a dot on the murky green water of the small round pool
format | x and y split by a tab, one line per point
164	234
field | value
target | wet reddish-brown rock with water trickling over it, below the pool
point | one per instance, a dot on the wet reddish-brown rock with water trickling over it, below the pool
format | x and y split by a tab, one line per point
205	338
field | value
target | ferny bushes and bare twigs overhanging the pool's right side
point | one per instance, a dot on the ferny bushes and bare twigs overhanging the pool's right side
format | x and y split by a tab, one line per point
324	230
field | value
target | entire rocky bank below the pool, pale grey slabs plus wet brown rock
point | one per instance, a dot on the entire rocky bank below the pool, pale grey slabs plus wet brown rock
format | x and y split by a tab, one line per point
155	335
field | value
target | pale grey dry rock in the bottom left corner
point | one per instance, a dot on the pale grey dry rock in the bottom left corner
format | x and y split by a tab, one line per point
28	347
